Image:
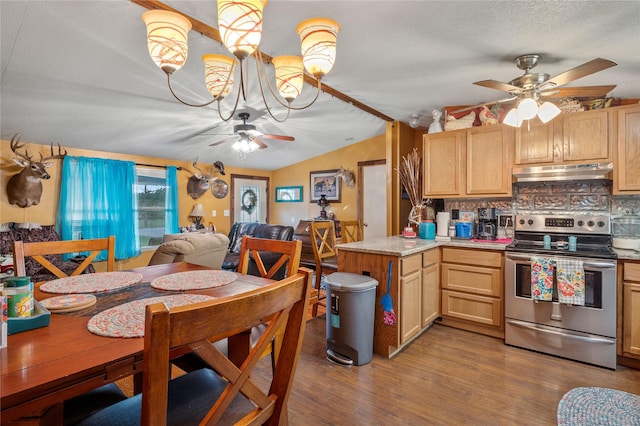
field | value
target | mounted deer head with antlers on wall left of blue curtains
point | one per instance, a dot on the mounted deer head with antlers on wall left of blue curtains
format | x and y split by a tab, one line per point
25	188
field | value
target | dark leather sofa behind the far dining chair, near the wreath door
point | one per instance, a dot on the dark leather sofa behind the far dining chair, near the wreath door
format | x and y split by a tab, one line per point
256	230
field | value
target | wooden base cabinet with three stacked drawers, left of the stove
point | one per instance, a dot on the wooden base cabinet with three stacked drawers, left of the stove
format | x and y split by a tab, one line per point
472	290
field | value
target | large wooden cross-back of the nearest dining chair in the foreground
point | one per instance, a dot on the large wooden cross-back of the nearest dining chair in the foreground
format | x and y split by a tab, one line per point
194	325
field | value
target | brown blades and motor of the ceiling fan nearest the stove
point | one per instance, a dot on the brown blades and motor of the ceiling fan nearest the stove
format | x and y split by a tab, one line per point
540	85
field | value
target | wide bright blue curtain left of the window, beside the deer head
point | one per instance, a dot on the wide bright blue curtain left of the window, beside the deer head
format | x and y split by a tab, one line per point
97	199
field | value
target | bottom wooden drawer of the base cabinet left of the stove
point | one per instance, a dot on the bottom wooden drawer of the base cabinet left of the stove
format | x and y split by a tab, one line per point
480	309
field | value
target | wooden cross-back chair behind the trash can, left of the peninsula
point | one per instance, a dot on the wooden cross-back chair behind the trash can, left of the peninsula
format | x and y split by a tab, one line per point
323	241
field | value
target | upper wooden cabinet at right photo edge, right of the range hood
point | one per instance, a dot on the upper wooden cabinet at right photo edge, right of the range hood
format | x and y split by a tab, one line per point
626	136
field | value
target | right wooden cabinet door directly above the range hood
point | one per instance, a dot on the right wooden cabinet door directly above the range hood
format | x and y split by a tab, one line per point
585	136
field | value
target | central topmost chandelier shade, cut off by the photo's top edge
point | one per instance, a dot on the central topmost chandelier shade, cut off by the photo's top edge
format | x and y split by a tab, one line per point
240	25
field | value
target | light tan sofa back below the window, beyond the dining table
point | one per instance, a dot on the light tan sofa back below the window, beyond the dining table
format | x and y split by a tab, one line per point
205	249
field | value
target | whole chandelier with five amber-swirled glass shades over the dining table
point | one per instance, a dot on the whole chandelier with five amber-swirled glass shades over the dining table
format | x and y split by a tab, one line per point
240	26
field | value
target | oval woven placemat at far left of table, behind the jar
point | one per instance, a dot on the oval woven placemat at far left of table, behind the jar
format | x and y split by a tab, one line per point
92	283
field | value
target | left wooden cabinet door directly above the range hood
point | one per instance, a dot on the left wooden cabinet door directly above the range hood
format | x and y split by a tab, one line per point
534	144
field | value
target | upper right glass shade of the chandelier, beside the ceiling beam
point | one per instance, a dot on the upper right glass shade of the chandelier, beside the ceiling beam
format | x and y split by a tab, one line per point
318	45
